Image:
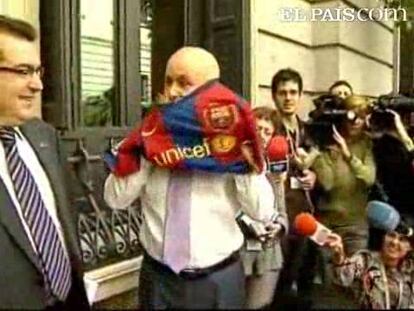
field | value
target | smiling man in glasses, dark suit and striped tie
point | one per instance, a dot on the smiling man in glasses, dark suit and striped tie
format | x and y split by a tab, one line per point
40	263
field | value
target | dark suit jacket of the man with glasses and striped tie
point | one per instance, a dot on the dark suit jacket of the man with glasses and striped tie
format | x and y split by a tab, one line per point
21	280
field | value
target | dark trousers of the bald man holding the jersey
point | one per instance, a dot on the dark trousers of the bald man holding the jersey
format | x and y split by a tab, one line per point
161	288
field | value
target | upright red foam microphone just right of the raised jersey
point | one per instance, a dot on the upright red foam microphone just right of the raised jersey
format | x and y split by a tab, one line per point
277	154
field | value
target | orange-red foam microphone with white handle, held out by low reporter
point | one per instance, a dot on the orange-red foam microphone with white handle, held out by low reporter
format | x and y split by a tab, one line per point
305	224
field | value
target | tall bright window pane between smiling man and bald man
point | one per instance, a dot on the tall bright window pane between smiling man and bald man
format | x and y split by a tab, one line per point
97	62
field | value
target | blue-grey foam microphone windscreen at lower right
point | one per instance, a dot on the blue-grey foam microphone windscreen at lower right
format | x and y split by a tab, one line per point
382	216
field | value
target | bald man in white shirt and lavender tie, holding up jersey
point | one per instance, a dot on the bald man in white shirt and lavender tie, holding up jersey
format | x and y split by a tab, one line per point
202	269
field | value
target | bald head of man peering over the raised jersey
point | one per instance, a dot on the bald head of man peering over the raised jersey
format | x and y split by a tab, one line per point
187	69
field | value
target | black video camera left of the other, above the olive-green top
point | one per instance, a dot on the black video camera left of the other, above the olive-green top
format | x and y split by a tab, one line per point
330	111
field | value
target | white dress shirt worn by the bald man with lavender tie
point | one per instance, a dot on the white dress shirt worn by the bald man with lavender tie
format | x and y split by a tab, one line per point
215	200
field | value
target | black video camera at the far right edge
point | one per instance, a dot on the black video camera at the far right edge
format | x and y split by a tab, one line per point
382	119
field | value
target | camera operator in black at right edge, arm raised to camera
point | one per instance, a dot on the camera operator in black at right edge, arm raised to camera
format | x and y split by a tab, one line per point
394	153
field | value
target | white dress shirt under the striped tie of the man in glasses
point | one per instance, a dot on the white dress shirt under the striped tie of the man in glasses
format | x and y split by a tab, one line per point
29	157
